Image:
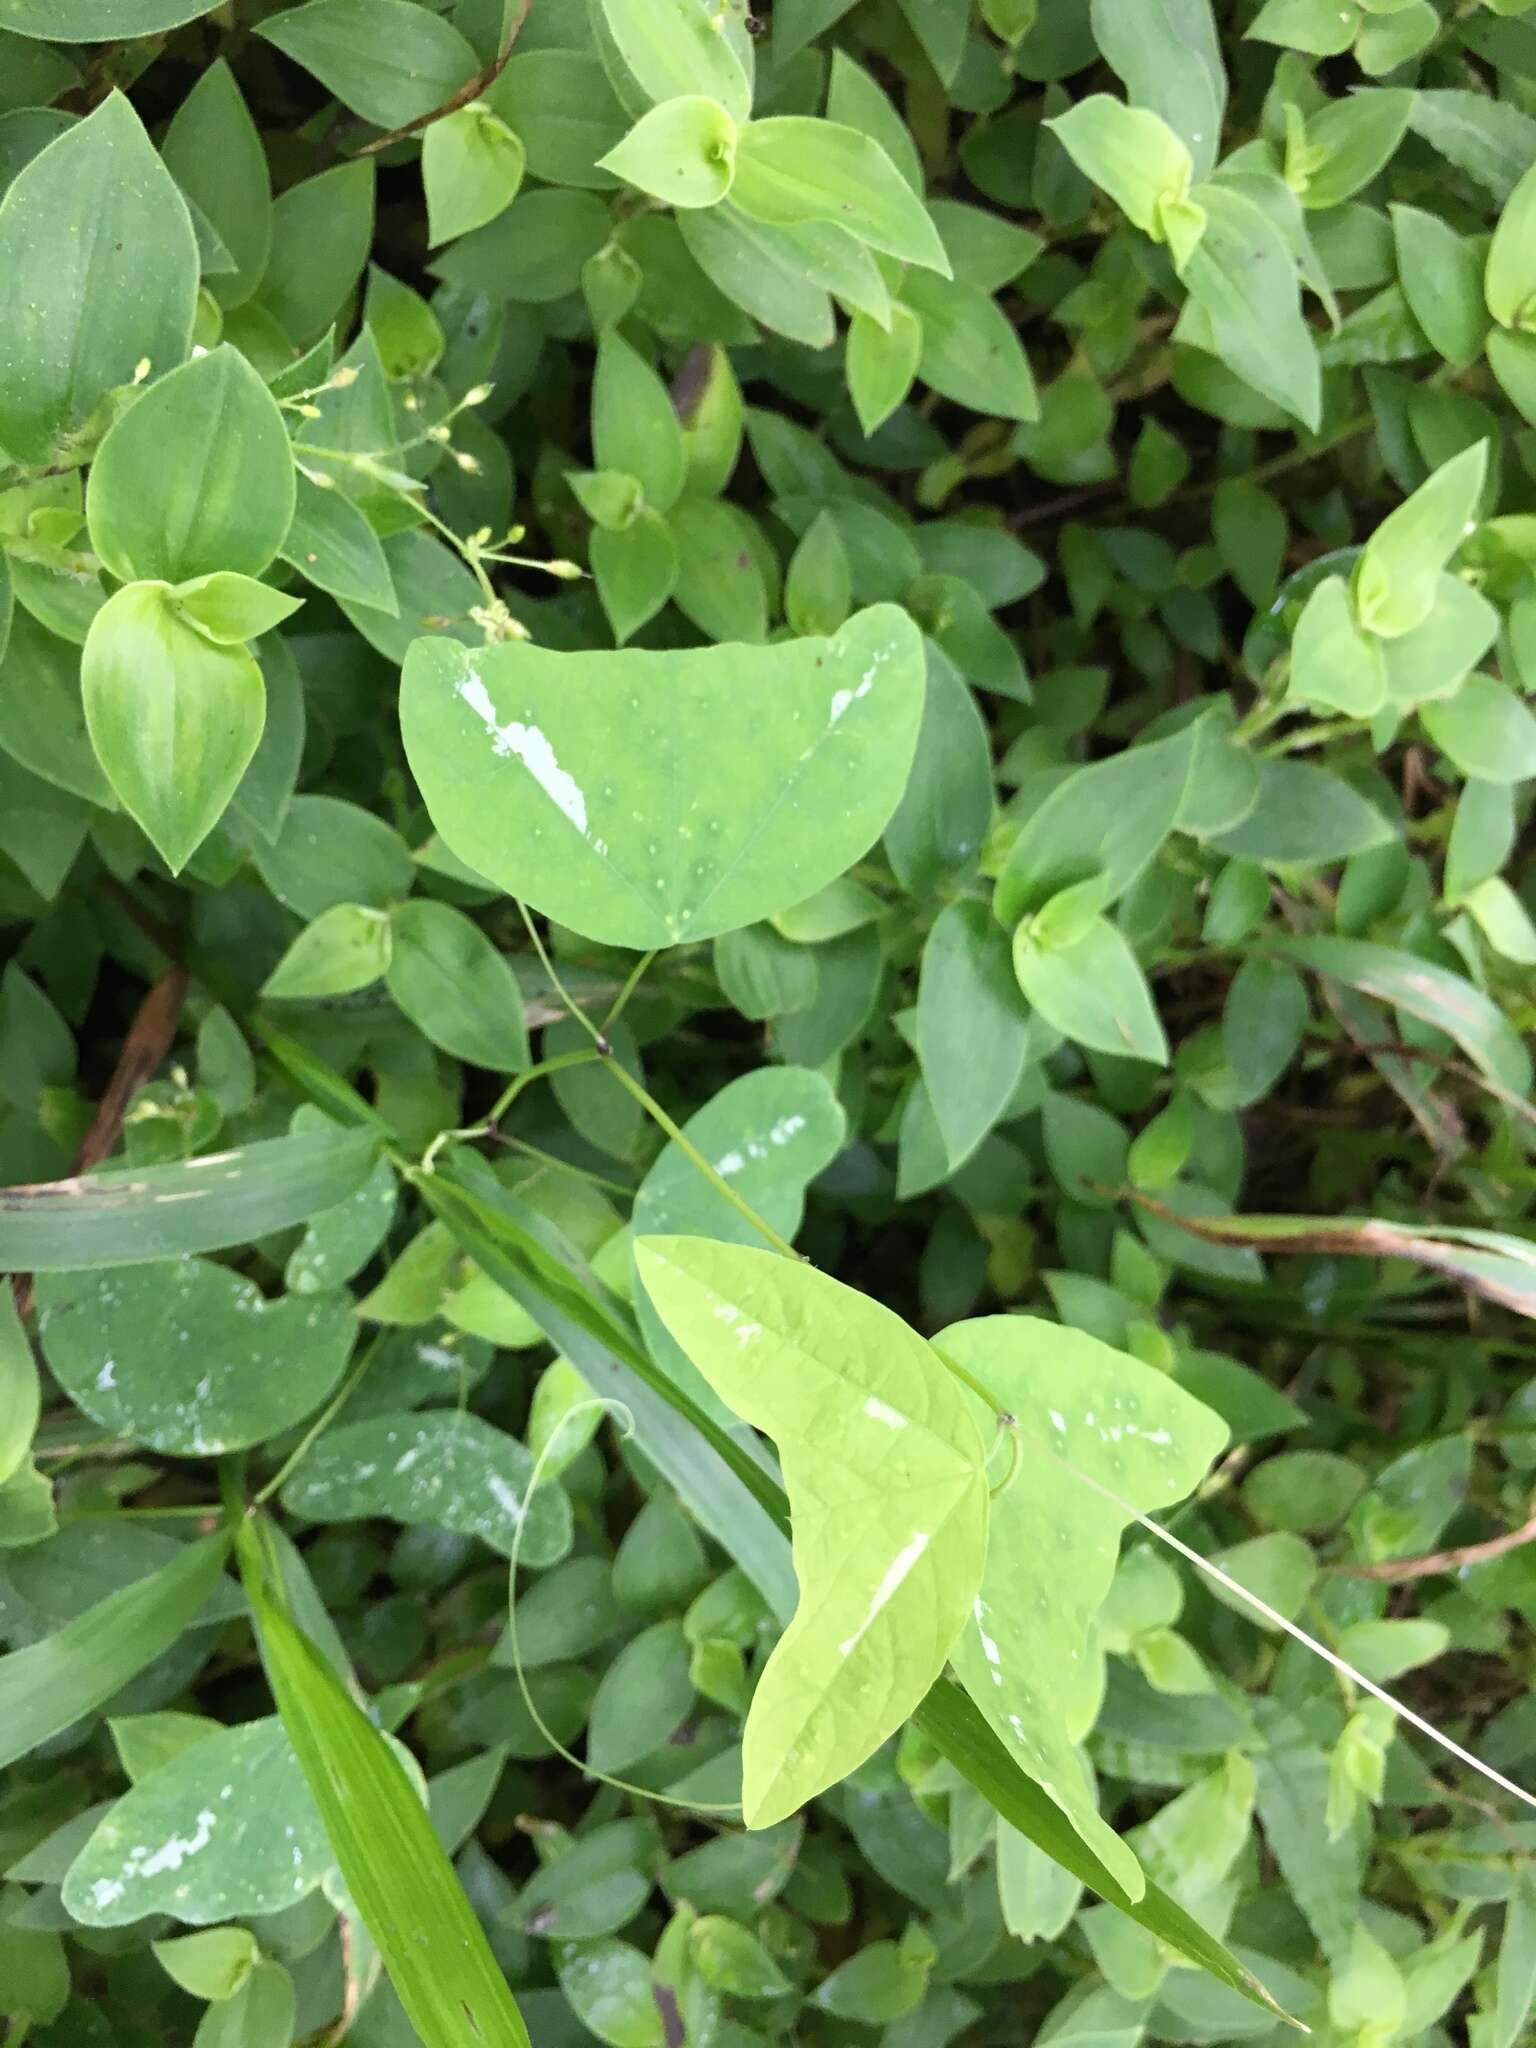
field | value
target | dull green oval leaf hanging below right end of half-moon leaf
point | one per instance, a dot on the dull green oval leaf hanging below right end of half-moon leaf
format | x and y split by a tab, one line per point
974	1029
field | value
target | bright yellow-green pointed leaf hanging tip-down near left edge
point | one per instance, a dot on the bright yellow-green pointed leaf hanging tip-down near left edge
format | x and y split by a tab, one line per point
173	718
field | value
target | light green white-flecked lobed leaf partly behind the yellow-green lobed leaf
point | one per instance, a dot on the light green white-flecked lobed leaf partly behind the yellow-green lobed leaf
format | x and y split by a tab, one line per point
1080	1408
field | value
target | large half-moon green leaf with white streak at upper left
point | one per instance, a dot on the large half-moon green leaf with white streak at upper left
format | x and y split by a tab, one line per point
554	794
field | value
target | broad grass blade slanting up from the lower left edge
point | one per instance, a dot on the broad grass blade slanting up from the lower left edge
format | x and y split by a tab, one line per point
56	1682
